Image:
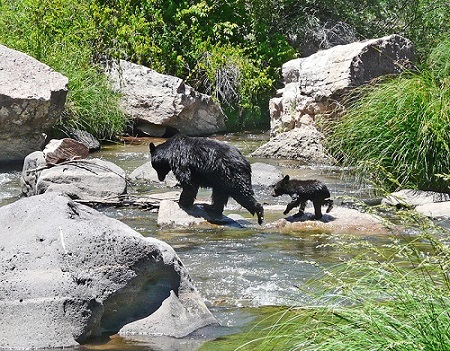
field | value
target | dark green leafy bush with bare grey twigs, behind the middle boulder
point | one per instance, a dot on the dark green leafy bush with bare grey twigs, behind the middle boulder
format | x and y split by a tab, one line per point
220	48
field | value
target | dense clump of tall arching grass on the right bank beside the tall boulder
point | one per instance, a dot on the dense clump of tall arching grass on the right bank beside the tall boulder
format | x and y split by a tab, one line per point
397	132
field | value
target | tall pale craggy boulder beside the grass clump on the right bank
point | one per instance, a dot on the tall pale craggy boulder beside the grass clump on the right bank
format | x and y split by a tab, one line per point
315	84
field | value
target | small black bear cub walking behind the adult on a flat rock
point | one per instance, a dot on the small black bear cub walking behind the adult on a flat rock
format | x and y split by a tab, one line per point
301	191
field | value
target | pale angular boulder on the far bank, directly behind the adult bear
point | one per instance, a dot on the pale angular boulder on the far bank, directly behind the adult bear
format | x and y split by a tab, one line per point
158	102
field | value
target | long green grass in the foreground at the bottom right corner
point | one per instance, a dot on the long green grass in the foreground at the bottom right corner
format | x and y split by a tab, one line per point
392	299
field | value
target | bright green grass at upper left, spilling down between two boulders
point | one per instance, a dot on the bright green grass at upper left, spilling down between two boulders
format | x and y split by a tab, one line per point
63	35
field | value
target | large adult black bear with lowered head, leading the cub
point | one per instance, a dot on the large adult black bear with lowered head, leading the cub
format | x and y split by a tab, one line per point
202	162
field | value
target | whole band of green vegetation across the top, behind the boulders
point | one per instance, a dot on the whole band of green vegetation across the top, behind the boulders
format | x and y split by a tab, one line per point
232	50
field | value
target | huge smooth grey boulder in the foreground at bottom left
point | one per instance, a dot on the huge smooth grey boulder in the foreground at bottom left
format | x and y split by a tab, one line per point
70	273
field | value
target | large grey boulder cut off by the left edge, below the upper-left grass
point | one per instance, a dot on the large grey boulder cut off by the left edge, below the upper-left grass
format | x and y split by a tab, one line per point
32	97
